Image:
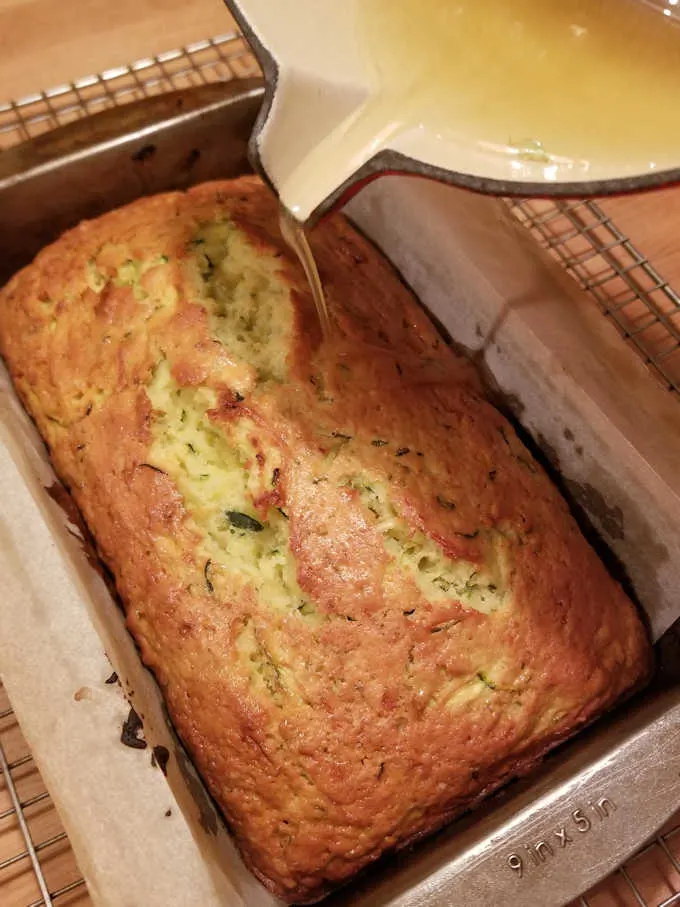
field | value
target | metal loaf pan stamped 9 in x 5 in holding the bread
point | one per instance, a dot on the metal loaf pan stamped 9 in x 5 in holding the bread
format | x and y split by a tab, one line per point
544	839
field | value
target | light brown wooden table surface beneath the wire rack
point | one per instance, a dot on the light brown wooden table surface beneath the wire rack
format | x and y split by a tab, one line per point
43	43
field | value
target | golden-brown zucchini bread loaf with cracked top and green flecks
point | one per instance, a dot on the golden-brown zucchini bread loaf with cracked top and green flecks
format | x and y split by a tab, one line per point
366	605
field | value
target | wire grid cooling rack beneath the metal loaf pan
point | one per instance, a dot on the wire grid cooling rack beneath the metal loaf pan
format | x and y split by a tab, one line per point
37	866
